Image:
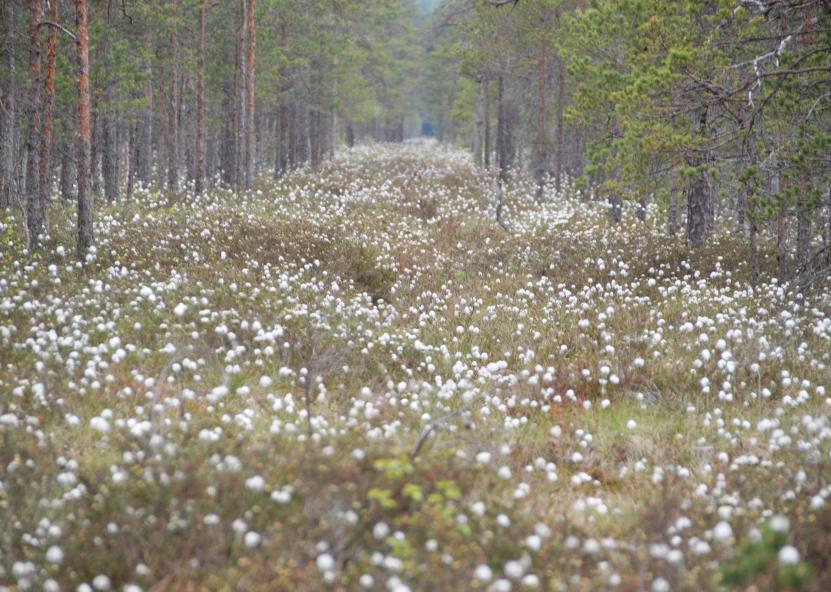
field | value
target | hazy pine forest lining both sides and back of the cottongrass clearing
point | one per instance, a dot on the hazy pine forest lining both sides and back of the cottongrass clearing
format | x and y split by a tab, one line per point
706	113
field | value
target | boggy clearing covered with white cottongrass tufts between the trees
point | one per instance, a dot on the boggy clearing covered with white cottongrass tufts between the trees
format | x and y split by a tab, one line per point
356	379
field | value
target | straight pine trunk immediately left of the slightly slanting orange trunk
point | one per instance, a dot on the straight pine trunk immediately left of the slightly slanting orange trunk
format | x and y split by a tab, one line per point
34	205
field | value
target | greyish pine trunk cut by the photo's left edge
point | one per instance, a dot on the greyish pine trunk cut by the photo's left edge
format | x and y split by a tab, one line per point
8	116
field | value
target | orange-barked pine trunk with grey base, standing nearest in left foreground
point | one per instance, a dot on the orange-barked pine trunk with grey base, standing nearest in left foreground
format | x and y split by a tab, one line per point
85	230
